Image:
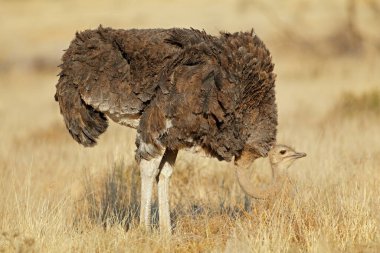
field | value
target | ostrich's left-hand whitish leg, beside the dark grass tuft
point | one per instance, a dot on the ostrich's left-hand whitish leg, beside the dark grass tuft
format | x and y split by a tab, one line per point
149	171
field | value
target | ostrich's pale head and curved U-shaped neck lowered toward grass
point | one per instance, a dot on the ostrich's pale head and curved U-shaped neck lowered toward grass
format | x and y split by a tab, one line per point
281	157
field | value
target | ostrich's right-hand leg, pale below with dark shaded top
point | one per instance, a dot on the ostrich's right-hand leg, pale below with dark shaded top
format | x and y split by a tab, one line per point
166	169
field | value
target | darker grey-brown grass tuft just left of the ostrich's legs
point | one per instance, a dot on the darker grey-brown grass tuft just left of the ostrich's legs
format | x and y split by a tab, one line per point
112	200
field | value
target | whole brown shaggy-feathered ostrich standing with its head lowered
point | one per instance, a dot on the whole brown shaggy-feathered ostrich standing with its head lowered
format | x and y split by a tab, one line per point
180	88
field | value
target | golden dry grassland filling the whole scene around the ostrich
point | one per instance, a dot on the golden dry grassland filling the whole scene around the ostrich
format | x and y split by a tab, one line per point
56	196
